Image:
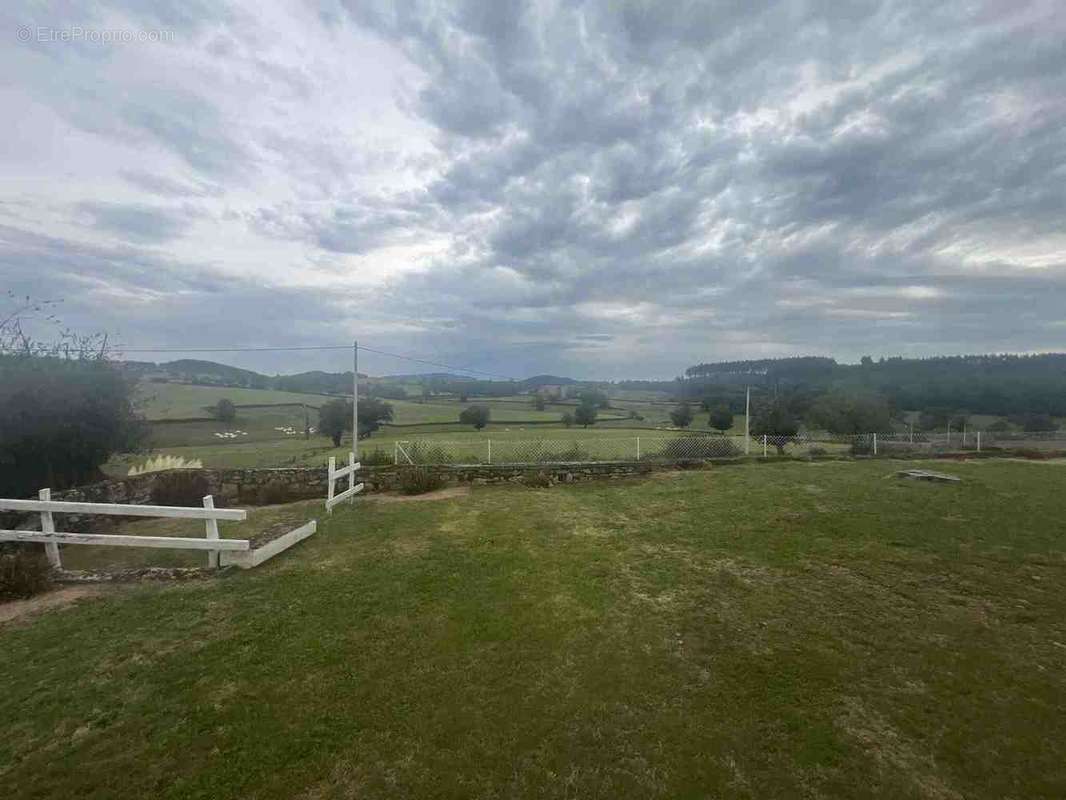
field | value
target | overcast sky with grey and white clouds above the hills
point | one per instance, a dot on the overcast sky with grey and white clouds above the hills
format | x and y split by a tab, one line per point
594	189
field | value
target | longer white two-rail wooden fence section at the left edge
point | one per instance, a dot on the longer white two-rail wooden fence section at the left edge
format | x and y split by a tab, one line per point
52	539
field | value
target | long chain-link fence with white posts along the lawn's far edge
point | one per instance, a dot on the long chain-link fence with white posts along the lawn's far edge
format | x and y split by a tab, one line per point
675	449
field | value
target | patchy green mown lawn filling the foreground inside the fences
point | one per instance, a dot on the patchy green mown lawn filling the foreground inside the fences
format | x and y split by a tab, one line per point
782	630
